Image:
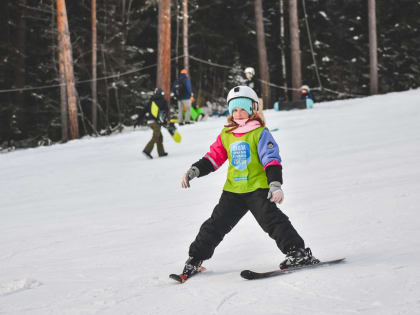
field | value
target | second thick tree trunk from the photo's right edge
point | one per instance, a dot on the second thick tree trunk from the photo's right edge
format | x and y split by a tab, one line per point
295	49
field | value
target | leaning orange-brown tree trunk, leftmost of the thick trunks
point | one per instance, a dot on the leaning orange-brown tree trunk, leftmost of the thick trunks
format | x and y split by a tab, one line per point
64	37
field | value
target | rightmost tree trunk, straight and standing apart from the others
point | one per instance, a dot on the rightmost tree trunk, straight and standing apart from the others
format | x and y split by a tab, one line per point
373	48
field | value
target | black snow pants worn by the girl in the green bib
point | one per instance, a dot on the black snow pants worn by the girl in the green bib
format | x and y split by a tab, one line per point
230	209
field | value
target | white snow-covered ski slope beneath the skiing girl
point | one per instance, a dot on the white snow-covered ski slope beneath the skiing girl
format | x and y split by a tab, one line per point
92	227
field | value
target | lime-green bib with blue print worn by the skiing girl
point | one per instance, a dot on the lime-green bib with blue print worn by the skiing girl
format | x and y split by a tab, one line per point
245	172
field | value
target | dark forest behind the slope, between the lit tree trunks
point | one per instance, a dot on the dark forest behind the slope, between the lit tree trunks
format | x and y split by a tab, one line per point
222	41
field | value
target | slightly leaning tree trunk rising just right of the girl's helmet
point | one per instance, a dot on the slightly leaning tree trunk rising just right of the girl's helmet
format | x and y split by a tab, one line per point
262	53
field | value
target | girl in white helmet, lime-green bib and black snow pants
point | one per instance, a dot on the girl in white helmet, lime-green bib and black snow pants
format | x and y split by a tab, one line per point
253	183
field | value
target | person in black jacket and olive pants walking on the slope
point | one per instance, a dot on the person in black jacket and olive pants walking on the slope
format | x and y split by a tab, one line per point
156	115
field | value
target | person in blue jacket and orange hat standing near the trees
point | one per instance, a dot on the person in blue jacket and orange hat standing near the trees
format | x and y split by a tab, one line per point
184	97
